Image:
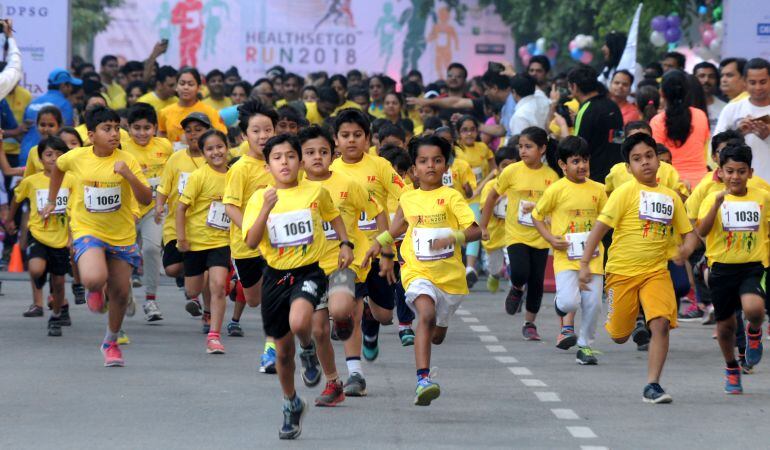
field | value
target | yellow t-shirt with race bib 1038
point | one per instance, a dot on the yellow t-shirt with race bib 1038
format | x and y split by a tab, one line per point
740	231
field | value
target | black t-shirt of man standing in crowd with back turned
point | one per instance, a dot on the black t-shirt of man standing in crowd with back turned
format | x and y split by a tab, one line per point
601	126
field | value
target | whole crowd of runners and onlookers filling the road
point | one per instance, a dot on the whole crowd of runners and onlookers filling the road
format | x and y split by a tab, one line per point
333	201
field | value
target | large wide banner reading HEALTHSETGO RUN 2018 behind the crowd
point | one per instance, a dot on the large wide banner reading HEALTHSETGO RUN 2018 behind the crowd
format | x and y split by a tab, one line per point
377	36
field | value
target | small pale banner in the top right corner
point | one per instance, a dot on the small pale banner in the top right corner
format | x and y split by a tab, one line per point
747	29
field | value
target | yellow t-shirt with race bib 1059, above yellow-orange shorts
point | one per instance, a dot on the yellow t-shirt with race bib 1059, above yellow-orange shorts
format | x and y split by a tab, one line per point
644	225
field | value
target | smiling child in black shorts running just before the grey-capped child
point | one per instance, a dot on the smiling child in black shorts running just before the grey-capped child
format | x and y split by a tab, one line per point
203	232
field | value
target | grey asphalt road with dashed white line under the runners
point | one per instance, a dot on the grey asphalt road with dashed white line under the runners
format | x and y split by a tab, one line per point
498	391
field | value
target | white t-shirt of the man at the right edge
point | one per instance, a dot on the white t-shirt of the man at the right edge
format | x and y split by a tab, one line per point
731	115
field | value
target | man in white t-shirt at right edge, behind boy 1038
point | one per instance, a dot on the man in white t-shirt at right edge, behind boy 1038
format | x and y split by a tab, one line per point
751	116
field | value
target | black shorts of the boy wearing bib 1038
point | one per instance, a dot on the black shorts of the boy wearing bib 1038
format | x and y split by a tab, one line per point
728	282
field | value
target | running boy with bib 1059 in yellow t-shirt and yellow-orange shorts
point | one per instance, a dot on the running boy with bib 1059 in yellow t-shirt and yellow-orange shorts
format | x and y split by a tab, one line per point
644	216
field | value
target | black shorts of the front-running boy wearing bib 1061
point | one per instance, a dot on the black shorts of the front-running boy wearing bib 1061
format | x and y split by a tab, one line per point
281	287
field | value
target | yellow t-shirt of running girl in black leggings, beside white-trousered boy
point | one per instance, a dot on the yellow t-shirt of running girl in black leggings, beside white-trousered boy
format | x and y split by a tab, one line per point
523	187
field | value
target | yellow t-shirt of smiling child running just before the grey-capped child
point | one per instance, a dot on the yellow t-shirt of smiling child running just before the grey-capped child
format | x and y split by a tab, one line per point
207	225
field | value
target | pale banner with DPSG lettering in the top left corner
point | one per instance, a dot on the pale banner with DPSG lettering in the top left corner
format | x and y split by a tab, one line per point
41	28
